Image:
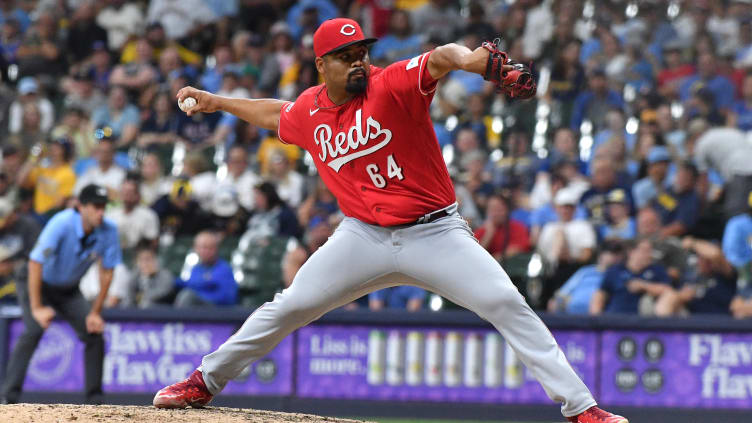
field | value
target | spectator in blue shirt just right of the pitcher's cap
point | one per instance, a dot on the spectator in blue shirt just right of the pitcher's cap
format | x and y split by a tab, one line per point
400	43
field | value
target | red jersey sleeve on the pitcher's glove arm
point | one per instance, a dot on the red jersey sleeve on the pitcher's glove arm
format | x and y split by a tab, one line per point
411	83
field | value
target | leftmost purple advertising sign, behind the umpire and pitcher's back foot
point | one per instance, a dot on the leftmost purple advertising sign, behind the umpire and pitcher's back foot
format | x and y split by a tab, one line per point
145	357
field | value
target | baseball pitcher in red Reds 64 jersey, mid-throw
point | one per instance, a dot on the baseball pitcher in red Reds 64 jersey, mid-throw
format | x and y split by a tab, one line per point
370	134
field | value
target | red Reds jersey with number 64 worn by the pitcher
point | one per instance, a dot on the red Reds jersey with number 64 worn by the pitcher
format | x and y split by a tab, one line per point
378	152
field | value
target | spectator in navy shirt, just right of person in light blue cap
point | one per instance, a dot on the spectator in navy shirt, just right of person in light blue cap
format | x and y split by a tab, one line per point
679	206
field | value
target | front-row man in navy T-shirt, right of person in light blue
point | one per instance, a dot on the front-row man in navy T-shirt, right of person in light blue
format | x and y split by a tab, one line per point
625	284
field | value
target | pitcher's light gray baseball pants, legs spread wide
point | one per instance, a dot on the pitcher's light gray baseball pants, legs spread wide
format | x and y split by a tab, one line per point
443	257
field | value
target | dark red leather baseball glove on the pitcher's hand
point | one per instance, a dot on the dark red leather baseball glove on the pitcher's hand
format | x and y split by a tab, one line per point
515	83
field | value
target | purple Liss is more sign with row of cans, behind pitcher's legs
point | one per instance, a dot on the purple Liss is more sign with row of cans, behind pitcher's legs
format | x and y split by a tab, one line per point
428	364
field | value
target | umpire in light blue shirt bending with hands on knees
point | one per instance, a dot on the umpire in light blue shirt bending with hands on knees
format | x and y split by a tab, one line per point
72	240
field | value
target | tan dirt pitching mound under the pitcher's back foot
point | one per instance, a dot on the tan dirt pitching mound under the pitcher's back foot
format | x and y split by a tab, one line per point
69	413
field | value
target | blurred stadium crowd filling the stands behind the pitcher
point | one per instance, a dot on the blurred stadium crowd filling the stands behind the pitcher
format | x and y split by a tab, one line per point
624	187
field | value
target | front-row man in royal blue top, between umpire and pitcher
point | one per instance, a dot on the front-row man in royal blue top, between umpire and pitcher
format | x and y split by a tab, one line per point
210	282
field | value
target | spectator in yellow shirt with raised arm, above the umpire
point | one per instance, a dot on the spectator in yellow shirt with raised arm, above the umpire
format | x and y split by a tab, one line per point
50	176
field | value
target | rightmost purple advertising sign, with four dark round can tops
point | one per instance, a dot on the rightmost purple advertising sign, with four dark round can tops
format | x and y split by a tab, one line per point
676	369
